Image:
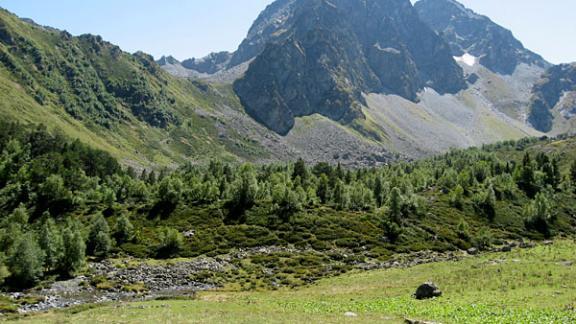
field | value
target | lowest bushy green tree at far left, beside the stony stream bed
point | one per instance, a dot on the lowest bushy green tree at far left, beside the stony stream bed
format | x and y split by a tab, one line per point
26	261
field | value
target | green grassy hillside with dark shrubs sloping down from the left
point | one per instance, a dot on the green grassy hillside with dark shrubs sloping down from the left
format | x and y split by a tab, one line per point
125	104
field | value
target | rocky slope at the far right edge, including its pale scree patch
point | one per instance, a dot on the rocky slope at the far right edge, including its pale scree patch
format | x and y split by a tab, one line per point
553	105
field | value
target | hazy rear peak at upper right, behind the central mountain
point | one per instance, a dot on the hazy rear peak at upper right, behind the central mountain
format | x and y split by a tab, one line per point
468	32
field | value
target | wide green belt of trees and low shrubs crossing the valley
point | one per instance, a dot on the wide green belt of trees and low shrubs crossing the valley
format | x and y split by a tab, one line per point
62	201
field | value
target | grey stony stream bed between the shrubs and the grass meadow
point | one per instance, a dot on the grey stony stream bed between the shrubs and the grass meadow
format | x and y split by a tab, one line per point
132	280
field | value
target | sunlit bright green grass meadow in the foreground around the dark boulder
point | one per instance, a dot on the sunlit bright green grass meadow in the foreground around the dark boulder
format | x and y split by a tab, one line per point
524	286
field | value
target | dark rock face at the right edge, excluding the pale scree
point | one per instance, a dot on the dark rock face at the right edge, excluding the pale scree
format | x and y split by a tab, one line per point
548	92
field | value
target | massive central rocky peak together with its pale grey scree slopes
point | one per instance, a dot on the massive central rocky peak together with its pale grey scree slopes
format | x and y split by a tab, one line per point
371	72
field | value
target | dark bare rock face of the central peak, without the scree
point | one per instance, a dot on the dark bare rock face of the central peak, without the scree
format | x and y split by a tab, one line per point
319	56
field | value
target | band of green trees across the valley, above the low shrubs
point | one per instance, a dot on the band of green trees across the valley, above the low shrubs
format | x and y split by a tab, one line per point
57	196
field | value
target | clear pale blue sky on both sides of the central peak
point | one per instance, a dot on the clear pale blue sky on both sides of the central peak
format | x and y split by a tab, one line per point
194	28
